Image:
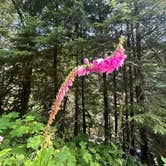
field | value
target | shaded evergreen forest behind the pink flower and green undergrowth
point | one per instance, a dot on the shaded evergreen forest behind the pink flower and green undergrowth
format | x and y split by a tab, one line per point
42	40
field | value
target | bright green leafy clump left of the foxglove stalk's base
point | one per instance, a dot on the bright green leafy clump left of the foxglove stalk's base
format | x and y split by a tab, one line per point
22	136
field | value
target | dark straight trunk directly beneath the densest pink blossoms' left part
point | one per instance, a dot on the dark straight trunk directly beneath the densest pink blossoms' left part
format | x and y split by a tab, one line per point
106	112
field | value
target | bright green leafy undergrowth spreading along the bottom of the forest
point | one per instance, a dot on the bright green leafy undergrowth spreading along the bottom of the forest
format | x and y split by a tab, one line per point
23	137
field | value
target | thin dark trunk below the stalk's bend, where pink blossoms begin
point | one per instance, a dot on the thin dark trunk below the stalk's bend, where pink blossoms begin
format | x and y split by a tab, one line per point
83	106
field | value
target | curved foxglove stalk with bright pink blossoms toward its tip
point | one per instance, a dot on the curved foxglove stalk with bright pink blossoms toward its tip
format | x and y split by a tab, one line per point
106	65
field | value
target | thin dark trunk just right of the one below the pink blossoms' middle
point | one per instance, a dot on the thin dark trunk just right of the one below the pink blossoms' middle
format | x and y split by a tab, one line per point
115	105
